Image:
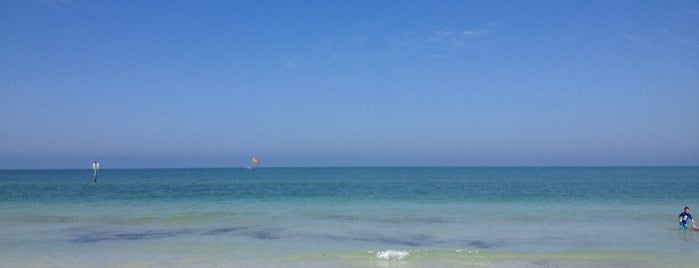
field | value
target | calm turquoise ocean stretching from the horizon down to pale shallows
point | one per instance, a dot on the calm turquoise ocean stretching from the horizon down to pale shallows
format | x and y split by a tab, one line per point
349	217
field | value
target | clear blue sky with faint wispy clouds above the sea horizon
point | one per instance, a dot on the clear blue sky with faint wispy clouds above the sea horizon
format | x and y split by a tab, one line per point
354	83
